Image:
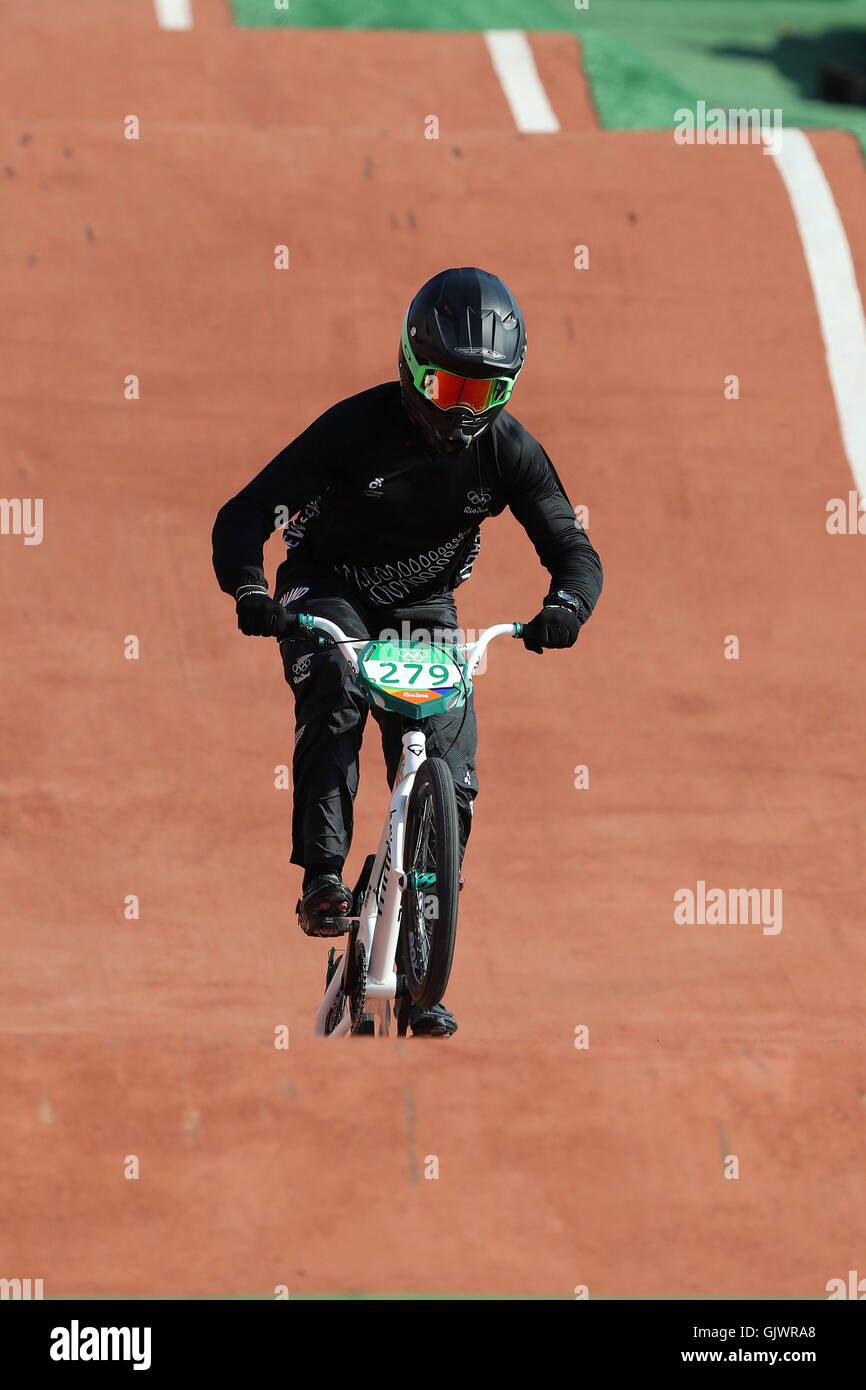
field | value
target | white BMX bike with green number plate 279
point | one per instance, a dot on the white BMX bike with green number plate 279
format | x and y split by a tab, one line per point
404	915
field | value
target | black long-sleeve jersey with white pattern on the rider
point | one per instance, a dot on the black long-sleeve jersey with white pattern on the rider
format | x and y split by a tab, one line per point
358	493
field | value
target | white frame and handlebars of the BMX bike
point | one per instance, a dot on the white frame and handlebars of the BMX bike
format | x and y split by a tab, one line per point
380	914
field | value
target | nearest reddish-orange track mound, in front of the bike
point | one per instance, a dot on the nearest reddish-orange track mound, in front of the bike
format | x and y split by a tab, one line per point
263	1168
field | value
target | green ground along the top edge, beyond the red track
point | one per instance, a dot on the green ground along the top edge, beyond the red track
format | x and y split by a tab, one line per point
646	58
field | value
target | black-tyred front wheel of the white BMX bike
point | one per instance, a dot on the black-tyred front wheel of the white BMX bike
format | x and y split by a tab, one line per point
432	860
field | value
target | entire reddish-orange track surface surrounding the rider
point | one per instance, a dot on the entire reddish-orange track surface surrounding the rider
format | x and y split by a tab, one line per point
155	778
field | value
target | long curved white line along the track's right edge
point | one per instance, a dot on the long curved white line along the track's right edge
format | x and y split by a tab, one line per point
840	308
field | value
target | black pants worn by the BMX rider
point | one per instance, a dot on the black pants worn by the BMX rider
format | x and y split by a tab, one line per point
332	712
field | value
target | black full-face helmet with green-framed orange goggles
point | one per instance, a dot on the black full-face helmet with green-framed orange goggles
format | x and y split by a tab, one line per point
462	350
